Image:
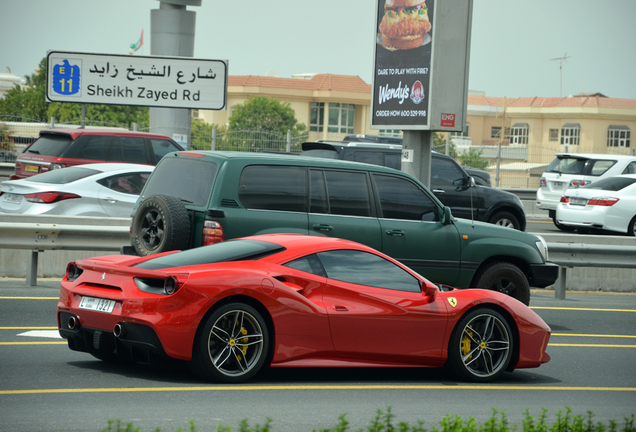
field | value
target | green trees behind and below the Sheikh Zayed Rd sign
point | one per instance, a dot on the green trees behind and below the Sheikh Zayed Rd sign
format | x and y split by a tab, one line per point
30	104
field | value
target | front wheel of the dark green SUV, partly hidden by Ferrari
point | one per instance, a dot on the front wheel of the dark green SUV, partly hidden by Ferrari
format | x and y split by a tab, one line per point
506	278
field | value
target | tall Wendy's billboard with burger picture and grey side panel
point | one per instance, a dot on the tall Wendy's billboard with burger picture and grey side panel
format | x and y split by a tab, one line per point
420	71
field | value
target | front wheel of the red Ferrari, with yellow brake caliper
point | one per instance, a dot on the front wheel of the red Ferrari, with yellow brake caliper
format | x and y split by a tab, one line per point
481	346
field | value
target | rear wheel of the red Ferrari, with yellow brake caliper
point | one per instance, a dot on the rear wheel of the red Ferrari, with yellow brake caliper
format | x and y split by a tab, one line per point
232	344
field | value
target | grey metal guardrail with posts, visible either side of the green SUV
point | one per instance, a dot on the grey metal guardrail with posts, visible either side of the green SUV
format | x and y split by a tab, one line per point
41	233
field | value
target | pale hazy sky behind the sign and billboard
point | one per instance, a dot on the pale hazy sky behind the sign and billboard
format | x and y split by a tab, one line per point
512	40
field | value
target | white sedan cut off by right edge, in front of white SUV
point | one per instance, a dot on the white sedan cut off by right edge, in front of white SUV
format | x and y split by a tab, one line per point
608	204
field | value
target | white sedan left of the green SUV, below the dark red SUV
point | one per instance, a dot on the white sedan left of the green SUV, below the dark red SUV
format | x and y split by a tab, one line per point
105	189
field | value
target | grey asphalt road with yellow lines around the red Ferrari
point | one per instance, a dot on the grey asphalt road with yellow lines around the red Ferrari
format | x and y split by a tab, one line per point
44	386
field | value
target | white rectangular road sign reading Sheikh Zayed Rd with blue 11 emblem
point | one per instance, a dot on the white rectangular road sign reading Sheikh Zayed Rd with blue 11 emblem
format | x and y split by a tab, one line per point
154	81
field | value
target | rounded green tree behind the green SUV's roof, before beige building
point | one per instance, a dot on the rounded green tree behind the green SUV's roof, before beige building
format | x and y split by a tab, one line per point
265	114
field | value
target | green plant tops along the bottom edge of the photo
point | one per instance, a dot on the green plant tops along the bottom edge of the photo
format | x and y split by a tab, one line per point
385	421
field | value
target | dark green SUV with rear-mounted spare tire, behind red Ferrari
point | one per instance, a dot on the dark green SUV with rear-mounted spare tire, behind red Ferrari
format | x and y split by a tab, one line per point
199	198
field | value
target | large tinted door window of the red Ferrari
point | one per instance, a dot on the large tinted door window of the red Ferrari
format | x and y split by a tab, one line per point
364	268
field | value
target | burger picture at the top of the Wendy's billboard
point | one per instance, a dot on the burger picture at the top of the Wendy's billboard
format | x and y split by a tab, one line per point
405	24
